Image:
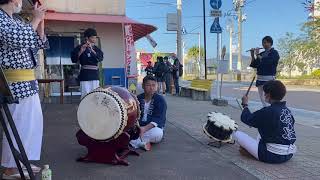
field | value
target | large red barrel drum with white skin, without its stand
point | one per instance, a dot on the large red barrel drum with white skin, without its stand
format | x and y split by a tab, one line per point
105	113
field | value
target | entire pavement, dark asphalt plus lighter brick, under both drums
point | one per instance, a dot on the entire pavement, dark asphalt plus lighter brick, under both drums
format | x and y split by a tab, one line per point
184	154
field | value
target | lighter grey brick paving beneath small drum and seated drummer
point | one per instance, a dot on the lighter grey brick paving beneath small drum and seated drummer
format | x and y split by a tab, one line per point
189	116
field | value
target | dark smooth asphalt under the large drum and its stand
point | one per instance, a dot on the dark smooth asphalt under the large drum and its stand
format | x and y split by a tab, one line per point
179	157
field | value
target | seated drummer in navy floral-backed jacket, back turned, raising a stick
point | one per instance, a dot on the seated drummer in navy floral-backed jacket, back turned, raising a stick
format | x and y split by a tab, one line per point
275	124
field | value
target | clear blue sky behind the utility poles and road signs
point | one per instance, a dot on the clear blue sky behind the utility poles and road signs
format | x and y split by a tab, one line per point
264	17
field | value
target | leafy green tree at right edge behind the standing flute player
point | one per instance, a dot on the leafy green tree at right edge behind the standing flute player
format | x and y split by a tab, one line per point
302	52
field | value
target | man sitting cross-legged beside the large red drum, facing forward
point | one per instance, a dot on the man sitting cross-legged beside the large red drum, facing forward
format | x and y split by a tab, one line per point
153	115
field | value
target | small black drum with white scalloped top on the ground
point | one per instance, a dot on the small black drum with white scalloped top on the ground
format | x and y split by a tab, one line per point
219	127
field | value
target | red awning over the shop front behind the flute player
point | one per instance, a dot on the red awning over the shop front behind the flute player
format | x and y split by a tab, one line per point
139	29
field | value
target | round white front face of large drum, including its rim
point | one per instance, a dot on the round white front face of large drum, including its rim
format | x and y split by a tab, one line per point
102	115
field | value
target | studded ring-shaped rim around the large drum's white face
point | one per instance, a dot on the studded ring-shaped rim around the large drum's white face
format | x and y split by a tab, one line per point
124	117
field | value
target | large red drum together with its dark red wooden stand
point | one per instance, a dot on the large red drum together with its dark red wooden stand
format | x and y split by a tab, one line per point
108	118
